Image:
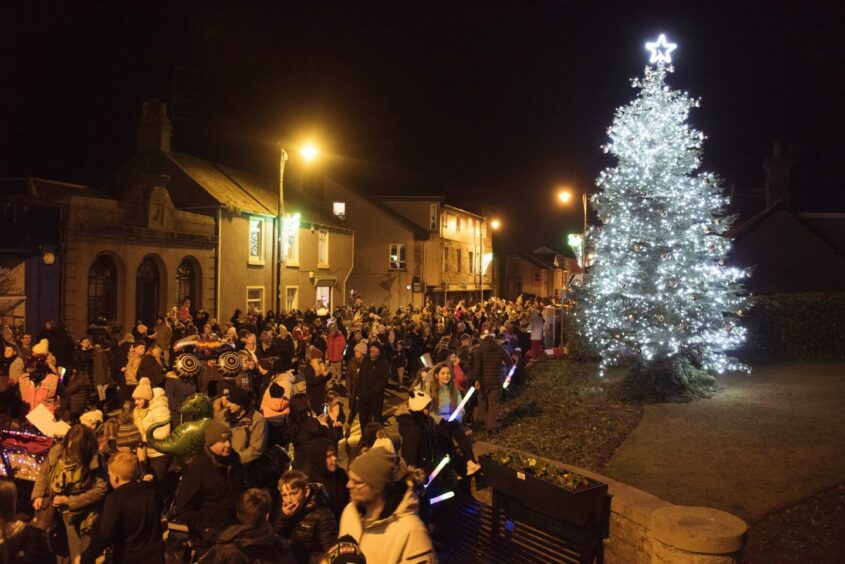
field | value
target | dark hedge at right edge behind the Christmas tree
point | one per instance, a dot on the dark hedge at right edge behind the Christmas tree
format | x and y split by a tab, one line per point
795	327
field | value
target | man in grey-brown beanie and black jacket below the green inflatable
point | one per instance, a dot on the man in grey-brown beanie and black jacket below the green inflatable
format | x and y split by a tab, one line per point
210	487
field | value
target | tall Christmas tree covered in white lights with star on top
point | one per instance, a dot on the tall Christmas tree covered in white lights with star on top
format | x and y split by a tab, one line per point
661	294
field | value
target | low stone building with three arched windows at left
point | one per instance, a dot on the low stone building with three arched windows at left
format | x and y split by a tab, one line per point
122	260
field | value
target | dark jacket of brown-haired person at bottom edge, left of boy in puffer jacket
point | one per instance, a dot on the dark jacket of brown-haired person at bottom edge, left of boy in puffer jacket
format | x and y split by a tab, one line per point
245	544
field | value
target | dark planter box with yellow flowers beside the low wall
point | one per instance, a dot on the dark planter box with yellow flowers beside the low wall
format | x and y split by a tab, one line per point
586	507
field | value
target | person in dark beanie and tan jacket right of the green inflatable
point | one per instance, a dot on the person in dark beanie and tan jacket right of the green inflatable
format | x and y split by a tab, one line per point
249	429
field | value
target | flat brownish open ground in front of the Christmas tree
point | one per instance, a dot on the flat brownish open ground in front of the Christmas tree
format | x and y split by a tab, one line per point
767	441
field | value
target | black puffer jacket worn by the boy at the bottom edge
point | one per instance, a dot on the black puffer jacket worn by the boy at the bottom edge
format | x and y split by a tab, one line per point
313	530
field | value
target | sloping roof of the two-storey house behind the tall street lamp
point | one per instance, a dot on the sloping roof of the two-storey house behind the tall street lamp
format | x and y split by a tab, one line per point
251	193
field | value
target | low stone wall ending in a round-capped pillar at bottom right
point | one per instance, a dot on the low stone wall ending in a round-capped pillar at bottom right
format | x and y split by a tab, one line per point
645	529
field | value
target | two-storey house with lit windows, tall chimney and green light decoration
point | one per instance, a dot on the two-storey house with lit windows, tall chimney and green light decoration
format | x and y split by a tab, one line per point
242	208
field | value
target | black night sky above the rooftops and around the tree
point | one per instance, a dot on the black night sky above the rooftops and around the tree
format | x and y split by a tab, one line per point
492	104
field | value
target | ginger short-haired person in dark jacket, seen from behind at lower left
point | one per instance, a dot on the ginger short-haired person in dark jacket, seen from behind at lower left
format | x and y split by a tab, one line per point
131	517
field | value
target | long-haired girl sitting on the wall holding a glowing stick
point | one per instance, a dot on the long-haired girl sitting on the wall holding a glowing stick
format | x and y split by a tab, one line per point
445	398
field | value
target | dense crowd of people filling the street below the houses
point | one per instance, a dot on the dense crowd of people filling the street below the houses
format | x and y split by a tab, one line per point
232	434
